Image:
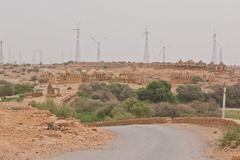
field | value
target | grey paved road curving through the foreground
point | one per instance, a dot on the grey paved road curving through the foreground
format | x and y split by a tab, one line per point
146	142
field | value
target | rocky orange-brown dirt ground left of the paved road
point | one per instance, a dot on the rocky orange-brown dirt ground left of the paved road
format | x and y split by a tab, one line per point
27	133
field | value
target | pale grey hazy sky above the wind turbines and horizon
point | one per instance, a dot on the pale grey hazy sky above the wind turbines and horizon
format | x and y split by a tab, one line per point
185	26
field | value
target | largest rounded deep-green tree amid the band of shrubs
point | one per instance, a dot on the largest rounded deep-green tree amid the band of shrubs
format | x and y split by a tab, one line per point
157	91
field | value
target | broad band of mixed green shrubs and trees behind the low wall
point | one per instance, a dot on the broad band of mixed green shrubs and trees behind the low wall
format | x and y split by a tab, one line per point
102	101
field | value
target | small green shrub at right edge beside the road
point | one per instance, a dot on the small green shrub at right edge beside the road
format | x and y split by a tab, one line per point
231	138
